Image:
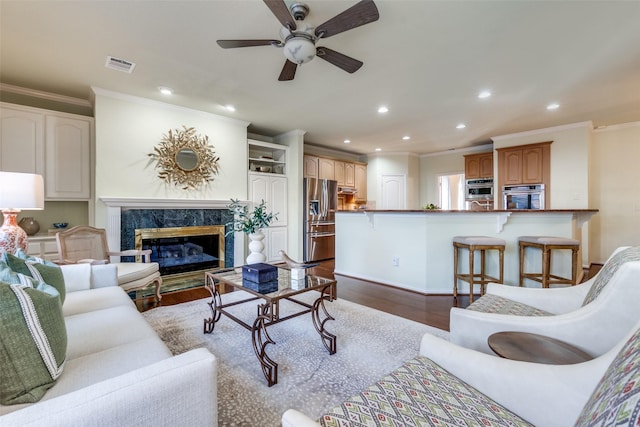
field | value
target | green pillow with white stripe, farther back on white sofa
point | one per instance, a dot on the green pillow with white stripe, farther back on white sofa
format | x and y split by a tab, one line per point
38	268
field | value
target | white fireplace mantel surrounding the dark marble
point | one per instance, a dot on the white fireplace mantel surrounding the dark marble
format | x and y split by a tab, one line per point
115	205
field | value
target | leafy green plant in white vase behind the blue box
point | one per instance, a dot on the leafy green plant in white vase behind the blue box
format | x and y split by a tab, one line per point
251	224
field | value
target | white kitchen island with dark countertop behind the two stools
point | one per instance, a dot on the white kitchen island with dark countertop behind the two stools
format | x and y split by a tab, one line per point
412	249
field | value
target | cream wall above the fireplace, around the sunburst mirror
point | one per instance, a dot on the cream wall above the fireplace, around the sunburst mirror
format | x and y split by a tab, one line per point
128	128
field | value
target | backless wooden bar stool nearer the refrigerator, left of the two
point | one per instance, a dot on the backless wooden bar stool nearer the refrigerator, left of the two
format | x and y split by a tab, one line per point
472	244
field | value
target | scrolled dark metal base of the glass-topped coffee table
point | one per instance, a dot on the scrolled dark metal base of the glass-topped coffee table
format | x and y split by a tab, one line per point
269	314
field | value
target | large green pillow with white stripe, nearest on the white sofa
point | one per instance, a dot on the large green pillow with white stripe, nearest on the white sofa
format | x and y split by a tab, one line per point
33	343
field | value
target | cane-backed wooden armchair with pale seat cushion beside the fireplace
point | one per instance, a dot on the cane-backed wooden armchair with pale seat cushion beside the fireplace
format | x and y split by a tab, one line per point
85	244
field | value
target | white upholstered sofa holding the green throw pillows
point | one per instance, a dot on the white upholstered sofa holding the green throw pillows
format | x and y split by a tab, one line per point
118	372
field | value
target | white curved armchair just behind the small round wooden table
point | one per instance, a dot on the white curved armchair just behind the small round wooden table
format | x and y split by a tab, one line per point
592	316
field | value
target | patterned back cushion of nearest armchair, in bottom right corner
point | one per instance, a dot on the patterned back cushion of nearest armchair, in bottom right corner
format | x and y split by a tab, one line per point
616	399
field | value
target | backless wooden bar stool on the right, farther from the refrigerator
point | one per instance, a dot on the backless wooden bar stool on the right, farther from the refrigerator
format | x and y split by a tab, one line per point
546	245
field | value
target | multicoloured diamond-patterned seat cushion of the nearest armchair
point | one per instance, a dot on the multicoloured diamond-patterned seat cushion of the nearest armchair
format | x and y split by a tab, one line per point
418	393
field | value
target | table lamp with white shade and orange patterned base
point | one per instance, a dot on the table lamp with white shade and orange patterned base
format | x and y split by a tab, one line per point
18	191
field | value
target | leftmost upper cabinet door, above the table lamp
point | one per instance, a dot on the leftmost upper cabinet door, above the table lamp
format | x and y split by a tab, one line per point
21	141
